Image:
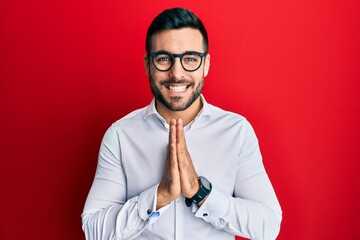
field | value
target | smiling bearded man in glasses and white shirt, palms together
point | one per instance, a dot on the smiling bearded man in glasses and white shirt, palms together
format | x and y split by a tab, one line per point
180	168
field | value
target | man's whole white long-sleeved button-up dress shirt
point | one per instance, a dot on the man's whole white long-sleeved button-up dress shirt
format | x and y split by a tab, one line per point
224	149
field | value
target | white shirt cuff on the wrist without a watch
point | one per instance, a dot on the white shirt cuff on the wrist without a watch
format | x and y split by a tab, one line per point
147	205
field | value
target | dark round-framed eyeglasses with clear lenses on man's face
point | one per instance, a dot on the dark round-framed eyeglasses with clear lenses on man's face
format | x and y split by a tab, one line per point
163	60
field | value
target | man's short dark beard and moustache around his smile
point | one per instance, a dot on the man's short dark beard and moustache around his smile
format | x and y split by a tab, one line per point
175	103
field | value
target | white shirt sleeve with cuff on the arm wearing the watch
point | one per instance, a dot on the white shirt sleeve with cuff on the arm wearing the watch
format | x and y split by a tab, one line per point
253	211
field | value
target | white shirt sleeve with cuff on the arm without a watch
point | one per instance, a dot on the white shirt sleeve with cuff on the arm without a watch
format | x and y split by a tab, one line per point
107	213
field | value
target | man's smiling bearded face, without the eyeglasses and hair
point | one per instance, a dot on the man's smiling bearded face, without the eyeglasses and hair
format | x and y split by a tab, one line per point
177	88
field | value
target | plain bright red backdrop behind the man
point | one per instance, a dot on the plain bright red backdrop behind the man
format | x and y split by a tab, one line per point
70	68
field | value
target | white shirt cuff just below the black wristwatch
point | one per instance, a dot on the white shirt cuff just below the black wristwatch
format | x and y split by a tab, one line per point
214	207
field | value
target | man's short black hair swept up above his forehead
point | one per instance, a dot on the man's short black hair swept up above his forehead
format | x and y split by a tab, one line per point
175	18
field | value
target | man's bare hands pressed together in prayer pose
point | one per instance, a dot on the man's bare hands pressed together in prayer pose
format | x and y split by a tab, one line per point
179	176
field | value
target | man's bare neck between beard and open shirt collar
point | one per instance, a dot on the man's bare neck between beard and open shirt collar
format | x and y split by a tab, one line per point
186	115
